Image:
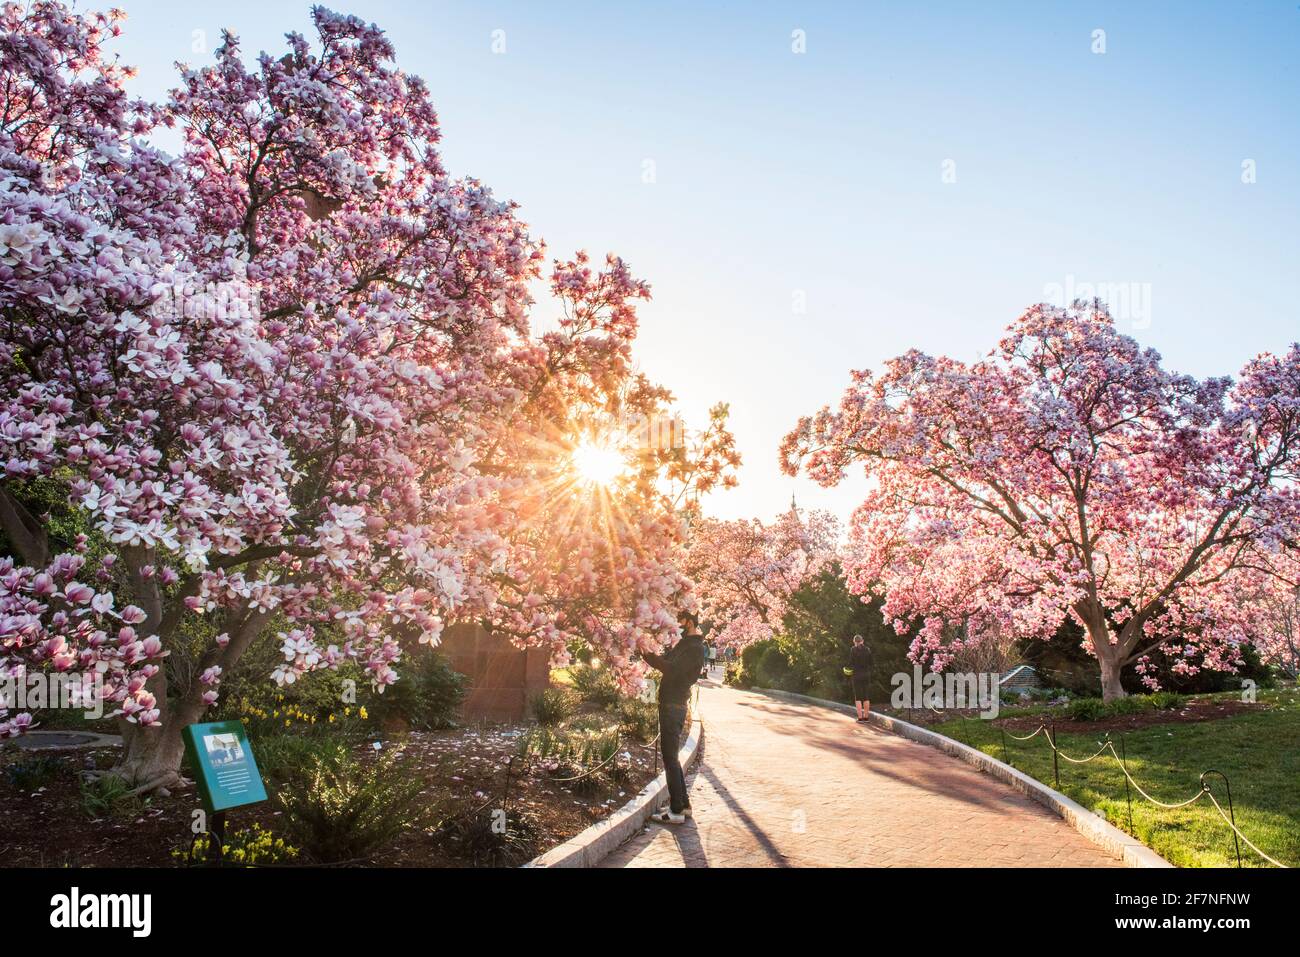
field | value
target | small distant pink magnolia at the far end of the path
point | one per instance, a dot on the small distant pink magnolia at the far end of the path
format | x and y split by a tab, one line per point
746	571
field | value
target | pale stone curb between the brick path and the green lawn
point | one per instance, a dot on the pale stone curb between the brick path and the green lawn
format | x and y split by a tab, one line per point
1097	829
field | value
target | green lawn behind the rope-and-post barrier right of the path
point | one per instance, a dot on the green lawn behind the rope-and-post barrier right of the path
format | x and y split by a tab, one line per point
1260	754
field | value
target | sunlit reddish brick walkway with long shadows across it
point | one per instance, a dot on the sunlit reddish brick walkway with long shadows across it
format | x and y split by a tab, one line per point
786	785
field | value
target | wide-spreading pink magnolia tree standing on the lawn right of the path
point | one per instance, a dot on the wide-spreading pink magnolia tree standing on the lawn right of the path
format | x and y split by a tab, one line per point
1069	474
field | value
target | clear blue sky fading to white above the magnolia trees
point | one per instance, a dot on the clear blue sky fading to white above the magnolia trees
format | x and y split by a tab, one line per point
818	179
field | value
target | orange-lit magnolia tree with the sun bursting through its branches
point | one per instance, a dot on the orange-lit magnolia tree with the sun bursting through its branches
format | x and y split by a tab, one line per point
600	482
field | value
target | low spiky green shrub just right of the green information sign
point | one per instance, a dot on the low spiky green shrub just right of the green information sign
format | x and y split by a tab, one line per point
341	809
